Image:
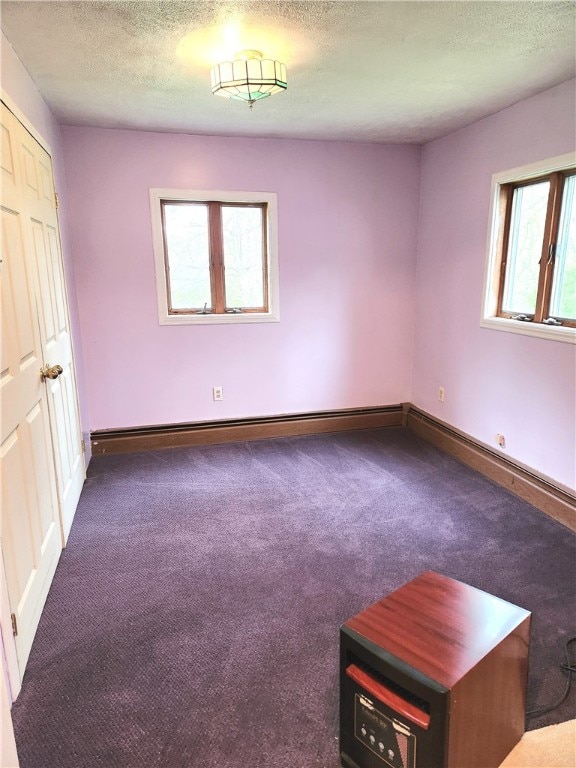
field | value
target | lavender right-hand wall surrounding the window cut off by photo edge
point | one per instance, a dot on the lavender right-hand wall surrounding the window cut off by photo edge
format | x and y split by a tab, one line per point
521	386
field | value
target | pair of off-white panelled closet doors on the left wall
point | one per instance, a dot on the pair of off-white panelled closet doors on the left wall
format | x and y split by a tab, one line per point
41	460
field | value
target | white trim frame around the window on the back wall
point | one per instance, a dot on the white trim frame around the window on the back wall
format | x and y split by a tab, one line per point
165	316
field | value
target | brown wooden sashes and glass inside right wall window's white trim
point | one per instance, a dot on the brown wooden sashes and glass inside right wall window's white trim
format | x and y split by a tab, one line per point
538	250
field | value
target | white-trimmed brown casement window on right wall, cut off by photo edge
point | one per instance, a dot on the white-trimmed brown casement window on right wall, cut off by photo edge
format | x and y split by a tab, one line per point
530	283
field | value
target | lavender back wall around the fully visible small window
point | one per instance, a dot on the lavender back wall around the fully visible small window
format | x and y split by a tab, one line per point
347	245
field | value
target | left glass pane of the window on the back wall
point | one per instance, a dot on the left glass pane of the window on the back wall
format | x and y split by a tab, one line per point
188	255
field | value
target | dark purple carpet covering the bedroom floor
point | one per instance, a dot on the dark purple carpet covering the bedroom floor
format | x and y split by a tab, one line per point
194	616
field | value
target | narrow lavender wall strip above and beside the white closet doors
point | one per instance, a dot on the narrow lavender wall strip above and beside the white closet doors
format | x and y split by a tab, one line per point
21	94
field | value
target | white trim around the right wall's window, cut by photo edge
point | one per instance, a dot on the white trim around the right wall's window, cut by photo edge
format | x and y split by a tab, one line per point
492	274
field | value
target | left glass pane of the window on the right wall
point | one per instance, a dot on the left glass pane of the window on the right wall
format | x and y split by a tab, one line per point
525	247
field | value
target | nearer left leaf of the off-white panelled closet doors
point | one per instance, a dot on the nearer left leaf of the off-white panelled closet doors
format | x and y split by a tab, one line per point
31	537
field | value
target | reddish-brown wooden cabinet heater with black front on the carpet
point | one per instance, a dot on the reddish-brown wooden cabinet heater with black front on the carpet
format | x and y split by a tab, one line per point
433	676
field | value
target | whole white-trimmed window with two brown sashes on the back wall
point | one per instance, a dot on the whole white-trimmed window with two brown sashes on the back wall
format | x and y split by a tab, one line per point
216	256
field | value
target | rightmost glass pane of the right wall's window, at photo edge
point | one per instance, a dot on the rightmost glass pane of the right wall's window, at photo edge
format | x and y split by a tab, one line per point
563	301
